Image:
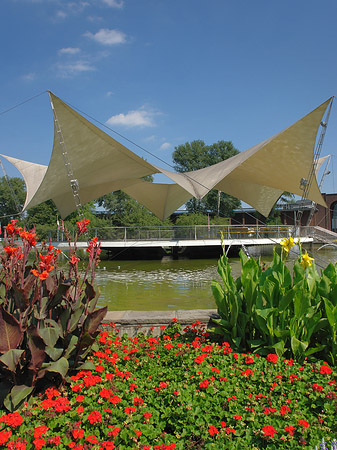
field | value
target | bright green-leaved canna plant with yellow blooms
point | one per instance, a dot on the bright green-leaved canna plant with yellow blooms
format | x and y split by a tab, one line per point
272	309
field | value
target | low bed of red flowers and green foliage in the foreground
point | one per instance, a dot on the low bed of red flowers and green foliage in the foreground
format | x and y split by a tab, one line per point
180	391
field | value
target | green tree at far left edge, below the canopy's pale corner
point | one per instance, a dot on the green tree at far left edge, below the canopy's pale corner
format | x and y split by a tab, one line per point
12	197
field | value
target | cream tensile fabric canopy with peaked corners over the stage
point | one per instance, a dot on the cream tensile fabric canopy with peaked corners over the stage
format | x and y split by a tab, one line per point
100	164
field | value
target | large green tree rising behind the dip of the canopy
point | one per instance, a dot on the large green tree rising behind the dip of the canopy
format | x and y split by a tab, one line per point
197	155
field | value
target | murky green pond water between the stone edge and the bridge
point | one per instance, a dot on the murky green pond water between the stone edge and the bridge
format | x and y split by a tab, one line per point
171	284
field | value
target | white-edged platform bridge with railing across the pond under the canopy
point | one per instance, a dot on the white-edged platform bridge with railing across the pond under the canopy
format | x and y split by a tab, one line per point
187	239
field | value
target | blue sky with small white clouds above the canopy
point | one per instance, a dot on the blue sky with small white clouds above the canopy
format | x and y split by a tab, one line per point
164	72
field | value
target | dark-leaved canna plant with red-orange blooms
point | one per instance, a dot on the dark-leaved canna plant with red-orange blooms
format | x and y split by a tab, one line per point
48	320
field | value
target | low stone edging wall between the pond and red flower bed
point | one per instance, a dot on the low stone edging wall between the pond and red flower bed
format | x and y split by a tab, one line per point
134	322
